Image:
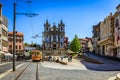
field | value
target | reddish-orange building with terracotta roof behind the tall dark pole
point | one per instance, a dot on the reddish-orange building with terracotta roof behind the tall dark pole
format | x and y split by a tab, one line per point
19	43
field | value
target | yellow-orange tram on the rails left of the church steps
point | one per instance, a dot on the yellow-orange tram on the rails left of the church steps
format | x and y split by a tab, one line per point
36	55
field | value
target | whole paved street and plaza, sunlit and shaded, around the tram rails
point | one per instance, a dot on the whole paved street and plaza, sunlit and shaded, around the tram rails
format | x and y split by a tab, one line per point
75	70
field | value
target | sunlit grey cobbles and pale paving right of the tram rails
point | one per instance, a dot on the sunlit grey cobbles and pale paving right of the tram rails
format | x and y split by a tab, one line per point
72	74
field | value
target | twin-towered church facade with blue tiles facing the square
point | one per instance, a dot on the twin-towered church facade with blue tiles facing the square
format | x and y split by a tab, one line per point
53	36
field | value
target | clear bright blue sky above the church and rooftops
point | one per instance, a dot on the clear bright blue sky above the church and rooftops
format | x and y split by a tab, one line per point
78	16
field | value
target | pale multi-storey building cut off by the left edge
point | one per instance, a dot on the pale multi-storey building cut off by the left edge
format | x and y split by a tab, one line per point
3	32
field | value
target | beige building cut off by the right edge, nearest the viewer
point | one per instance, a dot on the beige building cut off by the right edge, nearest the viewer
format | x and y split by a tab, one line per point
117	31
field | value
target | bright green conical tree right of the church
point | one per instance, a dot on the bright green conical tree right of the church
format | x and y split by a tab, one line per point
75	44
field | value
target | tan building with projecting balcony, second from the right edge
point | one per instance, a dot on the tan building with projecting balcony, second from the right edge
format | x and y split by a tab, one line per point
106	36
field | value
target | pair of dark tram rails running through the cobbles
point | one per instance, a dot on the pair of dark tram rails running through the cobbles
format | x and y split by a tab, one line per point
36	74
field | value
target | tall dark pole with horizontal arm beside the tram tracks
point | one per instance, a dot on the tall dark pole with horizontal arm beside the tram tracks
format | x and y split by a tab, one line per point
14	30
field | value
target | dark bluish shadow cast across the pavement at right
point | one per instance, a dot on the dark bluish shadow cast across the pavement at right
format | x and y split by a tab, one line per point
108	65
